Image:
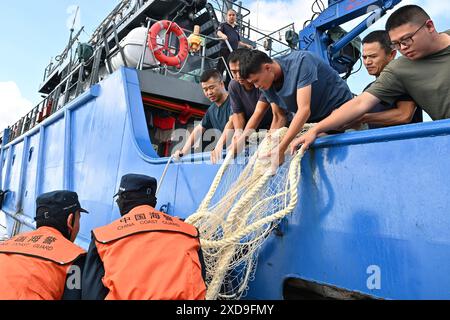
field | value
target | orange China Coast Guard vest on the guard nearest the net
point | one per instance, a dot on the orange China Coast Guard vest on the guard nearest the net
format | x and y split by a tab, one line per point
148	255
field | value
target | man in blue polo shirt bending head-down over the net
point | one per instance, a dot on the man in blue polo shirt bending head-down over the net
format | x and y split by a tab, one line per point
300	83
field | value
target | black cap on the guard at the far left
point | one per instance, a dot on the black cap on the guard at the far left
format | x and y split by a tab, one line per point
57	203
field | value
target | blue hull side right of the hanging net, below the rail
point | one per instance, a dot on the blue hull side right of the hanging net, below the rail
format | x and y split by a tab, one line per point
384	204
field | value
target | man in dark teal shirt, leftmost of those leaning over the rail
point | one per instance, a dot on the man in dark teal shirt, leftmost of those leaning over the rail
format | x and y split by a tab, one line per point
219	113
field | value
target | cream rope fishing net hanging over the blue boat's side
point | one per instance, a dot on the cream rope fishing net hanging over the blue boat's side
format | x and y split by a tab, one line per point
244	204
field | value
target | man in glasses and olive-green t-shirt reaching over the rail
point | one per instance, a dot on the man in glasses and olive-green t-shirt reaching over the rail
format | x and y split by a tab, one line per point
422	73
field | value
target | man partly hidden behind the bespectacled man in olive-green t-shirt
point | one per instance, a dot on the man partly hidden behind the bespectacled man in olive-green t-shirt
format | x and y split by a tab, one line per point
377	54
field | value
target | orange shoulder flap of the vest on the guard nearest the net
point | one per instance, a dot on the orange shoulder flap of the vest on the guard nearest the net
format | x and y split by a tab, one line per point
142	219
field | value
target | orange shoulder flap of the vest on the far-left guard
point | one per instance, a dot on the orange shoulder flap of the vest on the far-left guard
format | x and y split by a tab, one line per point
44	243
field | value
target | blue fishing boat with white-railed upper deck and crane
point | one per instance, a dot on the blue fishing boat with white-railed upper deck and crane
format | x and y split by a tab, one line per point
372	219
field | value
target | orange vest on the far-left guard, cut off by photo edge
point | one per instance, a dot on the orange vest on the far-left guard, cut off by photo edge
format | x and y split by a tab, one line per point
34	265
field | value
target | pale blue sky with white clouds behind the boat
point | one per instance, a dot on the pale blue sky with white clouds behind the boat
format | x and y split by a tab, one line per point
34	31
